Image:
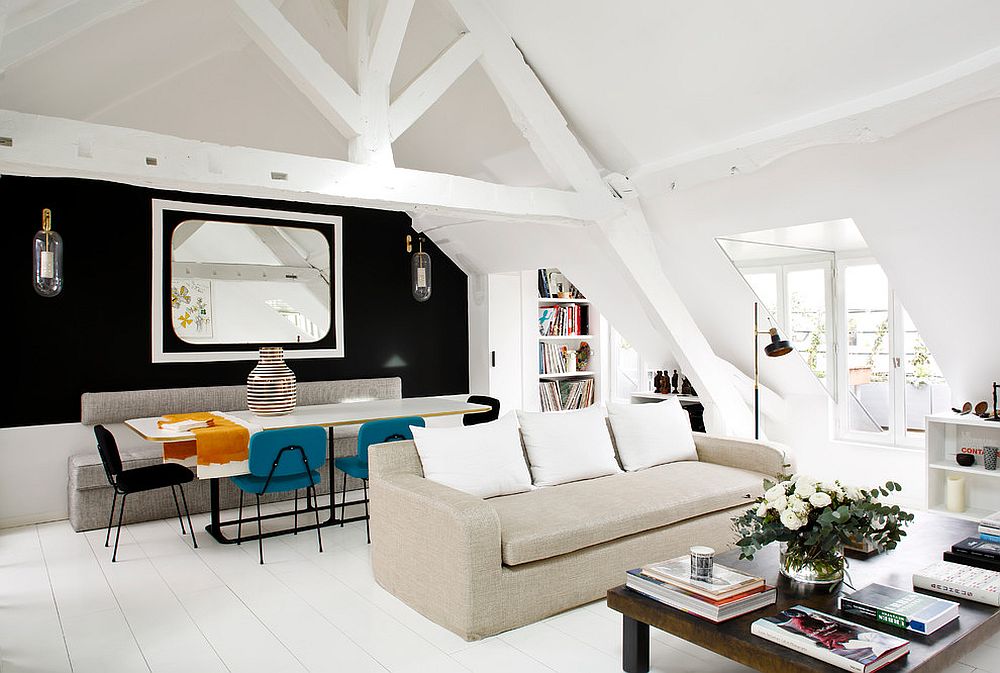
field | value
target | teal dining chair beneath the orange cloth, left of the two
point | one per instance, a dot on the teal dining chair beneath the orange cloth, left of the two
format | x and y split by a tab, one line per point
282	461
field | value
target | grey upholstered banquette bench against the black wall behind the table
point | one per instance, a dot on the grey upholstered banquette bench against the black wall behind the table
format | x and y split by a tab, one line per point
88	490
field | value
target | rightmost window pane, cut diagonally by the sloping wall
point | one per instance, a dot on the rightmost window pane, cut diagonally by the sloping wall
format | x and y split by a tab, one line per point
926	391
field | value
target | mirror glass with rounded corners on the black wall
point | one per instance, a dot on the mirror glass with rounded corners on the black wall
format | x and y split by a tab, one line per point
241	283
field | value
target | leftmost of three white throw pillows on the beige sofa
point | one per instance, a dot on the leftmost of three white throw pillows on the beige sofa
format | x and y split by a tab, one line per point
484	460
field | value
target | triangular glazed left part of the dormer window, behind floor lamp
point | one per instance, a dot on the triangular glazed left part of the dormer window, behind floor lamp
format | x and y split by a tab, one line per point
795	286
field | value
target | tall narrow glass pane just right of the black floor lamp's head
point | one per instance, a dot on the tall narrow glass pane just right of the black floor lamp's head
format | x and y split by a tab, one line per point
807	317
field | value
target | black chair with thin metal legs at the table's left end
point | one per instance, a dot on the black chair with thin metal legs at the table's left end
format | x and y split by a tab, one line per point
125	482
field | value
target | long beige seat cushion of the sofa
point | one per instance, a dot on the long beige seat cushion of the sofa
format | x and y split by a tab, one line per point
549	522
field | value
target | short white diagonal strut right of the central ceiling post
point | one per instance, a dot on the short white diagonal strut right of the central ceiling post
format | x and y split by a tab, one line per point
431	84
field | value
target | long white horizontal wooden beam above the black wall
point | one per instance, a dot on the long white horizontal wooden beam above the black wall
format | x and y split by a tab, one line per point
49	146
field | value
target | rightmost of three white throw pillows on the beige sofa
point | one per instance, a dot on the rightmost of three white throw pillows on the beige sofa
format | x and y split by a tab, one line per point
651	434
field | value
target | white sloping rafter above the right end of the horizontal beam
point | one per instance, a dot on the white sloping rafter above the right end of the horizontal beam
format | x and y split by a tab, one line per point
531	108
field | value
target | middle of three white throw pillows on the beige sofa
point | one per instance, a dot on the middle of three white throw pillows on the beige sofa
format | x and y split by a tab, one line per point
567	446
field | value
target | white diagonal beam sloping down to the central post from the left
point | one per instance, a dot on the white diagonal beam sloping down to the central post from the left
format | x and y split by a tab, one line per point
301	63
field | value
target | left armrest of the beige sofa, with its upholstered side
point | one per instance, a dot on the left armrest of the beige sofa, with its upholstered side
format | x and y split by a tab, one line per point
435	548
